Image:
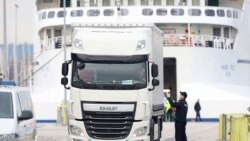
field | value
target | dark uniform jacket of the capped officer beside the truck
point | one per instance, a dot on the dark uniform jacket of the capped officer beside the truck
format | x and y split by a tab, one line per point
181	110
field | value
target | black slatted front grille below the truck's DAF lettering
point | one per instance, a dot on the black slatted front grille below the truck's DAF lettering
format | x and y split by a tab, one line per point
108	125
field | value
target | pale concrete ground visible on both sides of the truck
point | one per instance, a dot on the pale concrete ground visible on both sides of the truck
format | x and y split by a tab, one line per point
201	131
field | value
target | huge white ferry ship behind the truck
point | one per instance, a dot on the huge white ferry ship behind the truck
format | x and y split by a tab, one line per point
206	48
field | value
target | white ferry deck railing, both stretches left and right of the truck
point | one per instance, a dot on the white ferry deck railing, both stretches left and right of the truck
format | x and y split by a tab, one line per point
170	40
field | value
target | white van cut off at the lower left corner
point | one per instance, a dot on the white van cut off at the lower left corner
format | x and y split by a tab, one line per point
17	120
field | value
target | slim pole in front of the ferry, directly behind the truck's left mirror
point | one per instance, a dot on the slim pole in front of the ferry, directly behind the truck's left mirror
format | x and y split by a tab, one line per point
64	44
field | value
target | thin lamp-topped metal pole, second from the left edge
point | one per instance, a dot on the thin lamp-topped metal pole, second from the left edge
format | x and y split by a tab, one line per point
15	47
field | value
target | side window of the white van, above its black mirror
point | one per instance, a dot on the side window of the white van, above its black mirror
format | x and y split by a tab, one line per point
25	101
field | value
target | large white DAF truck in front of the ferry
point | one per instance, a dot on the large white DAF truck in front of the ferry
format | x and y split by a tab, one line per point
116	78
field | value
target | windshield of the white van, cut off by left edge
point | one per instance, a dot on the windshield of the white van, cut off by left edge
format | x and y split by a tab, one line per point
6	106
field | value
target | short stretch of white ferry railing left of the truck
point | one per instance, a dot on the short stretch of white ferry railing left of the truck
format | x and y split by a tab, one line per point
54	43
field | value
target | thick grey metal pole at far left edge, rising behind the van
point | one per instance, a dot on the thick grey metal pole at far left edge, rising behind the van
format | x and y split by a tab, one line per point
5	48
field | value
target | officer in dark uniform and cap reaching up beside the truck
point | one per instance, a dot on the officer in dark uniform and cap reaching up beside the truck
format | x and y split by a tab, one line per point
181	116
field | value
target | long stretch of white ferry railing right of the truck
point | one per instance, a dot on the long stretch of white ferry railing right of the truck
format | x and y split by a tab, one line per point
185	40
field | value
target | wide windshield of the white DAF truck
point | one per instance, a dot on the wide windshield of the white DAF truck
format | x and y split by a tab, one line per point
109	75
